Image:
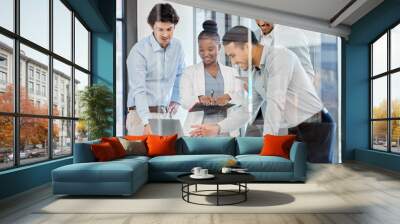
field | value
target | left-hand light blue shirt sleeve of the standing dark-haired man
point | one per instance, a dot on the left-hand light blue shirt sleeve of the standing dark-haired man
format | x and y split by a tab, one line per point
137	71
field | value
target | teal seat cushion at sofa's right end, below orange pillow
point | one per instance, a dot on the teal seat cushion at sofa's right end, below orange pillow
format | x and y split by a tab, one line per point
257	163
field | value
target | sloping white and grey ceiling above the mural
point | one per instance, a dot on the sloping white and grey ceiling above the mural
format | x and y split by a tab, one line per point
326	16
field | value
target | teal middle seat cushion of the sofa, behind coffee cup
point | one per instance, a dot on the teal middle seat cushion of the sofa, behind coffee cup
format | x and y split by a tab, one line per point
185	163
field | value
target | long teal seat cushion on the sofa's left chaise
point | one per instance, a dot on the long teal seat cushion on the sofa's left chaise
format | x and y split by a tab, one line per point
111	171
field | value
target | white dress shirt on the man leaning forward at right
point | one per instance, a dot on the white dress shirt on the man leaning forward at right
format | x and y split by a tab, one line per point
289	93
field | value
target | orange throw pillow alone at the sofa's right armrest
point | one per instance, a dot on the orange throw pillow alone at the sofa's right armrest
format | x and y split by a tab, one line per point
277	145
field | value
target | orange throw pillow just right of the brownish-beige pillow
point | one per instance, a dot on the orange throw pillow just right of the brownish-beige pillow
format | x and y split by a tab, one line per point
161	145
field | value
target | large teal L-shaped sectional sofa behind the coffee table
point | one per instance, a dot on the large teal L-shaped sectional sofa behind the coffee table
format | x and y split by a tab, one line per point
125	176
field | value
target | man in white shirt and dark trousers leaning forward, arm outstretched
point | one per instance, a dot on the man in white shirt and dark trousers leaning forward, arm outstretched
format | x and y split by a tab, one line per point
291	99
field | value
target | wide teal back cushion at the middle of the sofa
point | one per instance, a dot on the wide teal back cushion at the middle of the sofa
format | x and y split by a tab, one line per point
206	145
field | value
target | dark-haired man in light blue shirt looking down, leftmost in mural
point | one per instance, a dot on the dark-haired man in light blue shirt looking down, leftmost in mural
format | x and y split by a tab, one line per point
155	65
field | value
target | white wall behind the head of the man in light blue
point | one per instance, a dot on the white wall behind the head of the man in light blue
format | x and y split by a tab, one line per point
184	29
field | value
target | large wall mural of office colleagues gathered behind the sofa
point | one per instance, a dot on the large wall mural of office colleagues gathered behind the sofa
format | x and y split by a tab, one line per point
244	77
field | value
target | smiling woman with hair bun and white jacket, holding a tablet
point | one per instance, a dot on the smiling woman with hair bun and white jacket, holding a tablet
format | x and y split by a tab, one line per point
210	83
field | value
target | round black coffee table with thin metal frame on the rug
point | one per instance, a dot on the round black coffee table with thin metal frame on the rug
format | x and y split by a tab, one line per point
238	179
